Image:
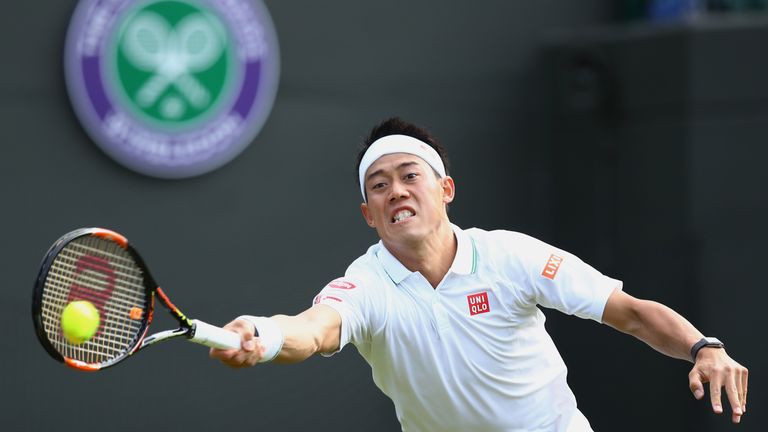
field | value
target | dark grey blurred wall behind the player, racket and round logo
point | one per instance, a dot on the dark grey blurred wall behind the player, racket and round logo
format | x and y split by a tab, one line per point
631	133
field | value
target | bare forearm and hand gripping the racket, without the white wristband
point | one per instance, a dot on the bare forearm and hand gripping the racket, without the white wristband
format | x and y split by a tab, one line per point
316	330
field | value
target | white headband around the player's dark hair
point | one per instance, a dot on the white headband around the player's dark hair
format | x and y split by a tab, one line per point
398	144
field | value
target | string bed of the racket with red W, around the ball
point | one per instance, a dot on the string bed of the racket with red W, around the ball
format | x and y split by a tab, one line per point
100	271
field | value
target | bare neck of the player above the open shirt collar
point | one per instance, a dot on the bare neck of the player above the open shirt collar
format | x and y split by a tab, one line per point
431	256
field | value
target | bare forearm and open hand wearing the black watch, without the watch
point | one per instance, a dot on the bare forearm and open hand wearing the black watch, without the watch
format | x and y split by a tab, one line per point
668	332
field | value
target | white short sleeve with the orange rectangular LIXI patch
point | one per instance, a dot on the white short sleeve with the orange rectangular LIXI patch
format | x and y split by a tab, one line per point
560	280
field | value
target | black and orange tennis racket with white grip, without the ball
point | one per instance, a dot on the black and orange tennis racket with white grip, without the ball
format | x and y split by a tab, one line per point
100	266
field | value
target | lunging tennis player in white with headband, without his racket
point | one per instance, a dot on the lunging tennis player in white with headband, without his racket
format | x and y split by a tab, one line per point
448	318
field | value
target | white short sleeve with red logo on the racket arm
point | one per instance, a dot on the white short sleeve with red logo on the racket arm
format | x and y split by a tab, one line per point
345	295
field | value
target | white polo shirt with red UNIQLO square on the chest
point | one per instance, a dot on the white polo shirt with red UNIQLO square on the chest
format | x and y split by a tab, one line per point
472	354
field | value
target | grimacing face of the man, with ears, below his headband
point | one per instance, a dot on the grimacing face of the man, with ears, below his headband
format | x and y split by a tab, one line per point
406	200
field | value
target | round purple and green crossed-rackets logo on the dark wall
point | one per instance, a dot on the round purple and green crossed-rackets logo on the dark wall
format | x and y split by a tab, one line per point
172	88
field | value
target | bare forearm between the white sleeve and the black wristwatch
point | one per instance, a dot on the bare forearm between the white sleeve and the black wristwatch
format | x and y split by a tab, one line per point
664	329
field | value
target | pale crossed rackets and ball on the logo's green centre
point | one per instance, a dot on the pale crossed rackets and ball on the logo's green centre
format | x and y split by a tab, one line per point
172	55
